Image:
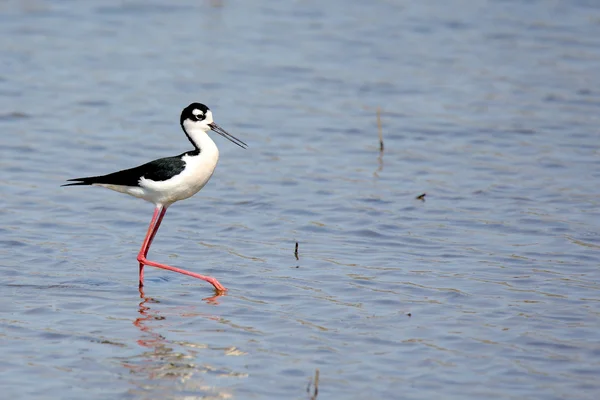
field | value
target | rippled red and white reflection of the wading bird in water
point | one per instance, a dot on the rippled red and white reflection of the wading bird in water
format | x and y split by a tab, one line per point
169	367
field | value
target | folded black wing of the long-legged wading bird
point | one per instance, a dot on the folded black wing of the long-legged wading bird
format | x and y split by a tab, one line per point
157	170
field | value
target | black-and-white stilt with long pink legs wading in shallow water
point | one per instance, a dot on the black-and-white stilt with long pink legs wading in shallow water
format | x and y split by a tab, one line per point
167	180
